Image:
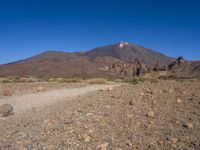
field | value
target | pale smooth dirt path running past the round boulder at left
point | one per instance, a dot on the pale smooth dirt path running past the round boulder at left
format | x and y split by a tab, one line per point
39	100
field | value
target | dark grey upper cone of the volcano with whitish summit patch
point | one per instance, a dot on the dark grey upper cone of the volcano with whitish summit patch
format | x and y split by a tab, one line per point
129	53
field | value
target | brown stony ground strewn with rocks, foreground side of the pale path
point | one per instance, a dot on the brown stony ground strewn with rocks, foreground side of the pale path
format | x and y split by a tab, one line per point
149	115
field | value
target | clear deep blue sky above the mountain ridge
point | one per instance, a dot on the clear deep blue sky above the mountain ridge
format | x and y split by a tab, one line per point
29	27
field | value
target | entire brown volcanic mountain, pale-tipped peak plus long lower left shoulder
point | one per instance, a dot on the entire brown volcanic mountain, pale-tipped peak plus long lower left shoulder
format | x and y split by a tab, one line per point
92	63
